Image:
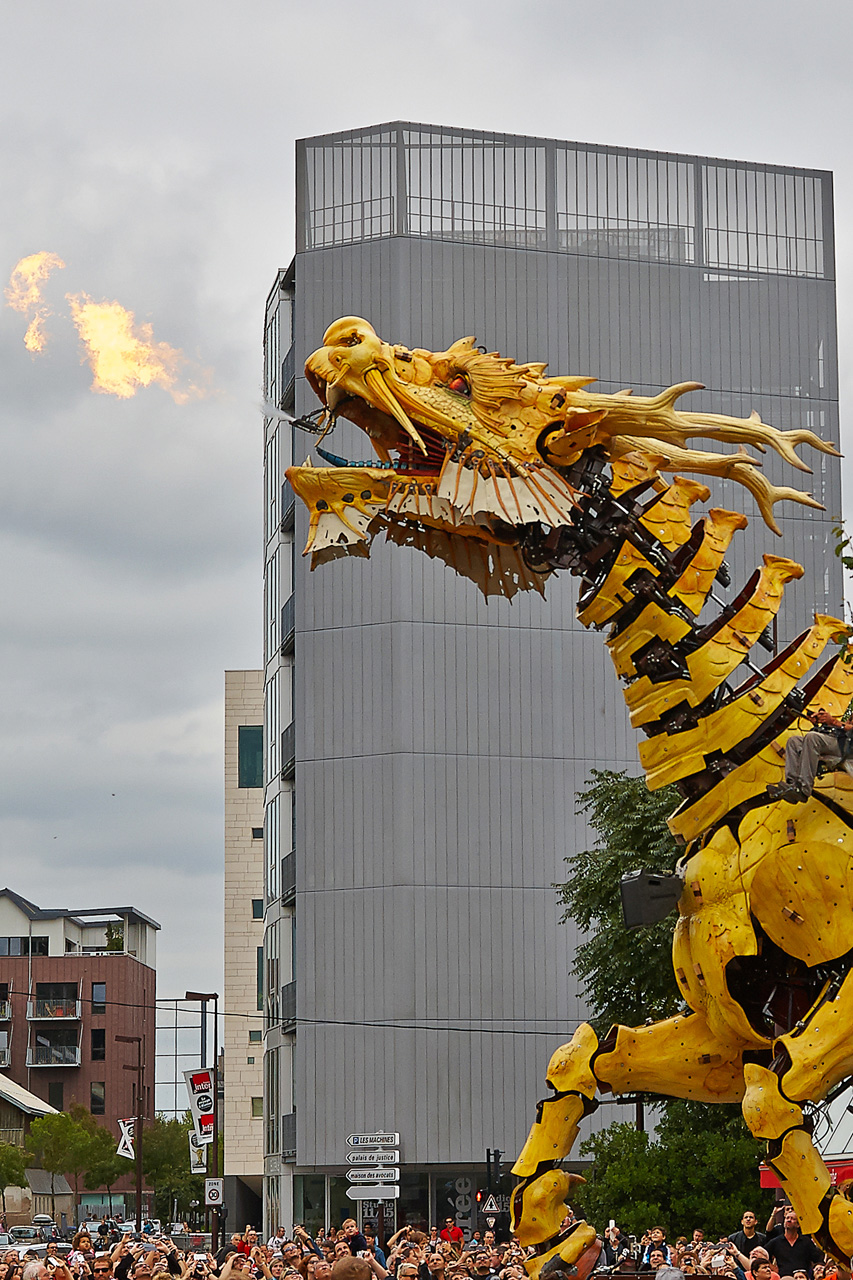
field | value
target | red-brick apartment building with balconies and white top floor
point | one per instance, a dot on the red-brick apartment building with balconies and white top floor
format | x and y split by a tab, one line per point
70	984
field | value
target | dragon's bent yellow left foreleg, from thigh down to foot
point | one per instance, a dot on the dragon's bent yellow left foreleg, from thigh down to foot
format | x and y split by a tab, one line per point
681	1058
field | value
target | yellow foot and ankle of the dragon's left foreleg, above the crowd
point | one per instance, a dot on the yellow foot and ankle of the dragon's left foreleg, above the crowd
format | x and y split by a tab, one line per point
539	1213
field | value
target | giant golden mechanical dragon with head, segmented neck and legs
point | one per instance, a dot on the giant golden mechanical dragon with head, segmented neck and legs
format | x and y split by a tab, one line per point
510	476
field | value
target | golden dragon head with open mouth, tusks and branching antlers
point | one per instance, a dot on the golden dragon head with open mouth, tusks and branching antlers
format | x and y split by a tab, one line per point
475	454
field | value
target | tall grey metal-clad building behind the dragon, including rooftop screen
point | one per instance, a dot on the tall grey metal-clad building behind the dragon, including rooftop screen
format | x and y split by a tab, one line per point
423	749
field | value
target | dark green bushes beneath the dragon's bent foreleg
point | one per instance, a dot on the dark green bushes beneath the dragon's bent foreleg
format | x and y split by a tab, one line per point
699	1169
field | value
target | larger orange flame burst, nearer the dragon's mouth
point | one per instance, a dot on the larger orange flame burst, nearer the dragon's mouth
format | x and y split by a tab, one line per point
124	356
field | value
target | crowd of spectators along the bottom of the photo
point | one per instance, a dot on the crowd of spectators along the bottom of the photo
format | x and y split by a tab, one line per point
781	1252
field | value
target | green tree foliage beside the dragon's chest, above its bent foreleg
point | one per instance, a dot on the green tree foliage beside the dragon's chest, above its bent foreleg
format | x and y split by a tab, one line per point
628	976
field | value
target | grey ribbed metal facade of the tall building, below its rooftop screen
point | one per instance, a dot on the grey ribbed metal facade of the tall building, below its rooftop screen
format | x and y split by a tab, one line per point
443	740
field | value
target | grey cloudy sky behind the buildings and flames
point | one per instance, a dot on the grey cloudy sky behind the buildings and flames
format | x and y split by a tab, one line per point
152	147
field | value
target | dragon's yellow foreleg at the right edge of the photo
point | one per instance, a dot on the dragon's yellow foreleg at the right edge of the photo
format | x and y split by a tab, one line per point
808	1064
